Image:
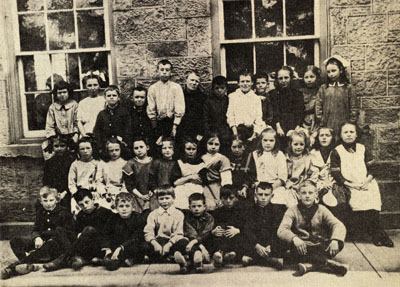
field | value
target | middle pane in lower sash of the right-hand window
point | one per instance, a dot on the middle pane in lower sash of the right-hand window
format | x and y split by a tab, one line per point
269	57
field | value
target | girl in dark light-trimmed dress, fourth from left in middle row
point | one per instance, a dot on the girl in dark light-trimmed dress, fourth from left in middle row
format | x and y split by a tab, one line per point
136	176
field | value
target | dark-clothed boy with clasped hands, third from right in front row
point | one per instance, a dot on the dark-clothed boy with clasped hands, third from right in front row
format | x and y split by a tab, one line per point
229	223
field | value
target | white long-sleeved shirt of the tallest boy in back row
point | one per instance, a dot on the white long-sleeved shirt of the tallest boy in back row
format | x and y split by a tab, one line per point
166	100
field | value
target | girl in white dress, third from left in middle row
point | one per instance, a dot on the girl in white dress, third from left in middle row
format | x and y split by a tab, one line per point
112	172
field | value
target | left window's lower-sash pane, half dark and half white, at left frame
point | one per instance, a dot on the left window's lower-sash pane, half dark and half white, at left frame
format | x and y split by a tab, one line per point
37	73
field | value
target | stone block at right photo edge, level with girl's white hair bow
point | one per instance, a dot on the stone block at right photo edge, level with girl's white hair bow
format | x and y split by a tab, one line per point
382	57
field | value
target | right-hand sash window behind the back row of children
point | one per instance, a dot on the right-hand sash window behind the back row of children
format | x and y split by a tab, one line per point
263	35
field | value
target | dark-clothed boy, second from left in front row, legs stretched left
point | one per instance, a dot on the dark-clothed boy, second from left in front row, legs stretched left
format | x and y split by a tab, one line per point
89	227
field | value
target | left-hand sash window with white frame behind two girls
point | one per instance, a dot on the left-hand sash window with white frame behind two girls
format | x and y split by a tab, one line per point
57	40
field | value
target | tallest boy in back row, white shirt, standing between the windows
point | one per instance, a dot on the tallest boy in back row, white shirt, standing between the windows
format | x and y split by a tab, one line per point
166	102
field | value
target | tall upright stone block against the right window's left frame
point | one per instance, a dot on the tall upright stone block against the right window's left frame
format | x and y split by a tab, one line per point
199	37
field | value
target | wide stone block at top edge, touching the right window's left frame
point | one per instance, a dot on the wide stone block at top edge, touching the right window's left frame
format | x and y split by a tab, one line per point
187	9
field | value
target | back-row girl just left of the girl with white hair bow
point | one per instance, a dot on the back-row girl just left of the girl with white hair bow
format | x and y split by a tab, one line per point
311	79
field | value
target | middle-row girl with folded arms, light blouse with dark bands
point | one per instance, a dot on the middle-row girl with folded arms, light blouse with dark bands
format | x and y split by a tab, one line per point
217	171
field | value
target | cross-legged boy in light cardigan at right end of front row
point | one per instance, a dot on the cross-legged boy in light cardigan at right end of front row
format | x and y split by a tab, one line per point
314	234
